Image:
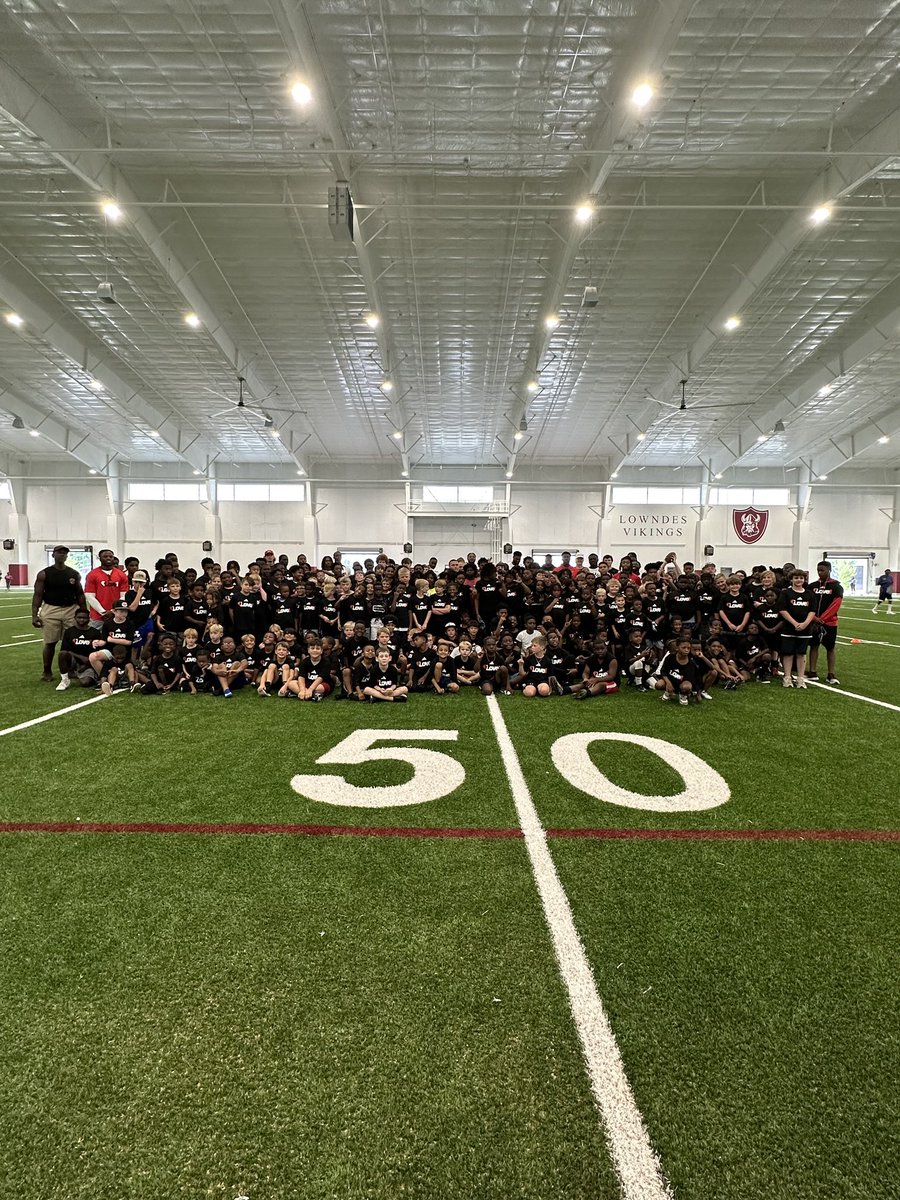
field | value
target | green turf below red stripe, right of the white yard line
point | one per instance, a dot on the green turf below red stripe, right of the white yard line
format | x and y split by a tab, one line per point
753	989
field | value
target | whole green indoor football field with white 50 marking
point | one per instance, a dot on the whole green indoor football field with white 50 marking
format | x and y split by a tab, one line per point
457	949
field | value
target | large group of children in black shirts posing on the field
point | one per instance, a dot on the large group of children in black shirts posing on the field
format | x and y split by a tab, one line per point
381	632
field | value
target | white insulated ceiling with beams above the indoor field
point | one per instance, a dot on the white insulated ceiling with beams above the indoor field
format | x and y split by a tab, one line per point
469	133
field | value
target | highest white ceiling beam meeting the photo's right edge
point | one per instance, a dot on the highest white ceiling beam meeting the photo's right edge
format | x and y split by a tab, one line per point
848	171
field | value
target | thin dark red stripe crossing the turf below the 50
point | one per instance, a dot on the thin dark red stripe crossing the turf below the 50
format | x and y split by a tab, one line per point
451	832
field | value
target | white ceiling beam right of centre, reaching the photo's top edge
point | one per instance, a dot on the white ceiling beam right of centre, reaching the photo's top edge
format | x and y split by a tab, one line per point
655	40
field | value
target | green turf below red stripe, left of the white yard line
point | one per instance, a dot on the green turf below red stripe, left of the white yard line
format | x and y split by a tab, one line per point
285	1019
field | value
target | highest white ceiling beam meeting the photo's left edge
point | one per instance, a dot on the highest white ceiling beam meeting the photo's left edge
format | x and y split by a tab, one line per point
45	125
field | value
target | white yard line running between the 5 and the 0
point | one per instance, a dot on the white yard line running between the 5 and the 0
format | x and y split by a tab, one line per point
634	1159
